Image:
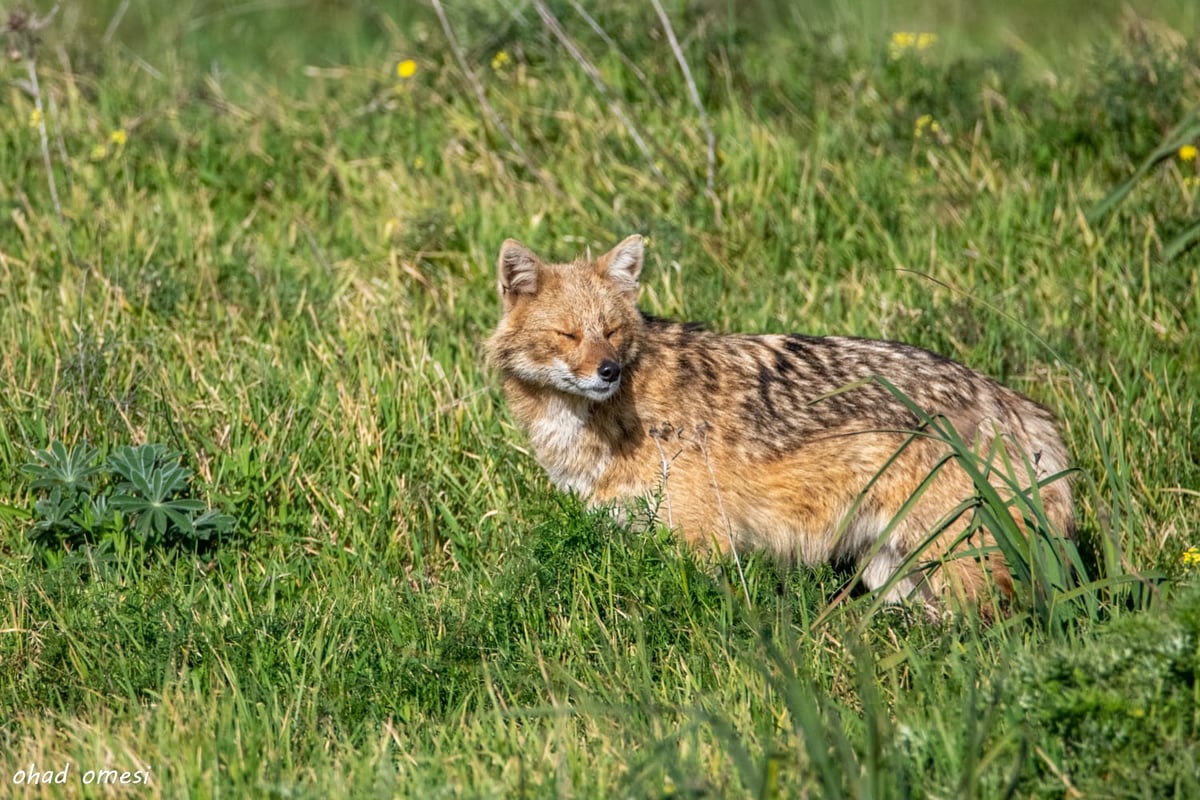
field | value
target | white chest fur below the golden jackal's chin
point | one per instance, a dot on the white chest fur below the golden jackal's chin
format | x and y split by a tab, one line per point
566	448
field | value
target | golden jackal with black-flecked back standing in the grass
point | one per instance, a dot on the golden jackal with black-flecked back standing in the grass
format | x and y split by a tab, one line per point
782	443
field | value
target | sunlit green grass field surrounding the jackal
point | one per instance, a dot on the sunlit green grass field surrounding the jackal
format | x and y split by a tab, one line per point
262	236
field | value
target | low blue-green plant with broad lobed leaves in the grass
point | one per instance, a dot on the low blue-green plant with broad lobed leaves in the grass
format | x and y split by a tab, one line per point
142	490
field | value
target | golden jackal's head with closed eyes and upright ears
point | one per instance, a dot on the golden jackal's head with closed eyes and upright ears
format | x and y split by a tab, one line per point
573	328
